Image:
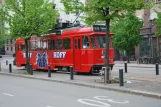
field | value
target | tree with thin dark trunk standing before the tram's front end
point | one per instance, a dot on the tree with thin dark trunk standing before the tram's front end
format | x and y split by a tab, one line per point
103	10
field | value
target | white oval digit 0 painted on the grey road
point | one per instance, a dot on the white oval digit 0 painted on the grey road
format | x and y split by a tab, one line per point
99	103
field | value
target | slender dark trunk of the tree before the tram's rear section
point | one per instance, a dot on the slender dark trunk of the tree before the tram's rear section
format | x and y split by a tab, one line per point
27	55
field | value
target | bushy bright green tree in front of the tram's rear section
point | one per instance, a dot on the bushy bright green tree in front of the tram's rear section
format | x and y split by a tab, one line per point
27	18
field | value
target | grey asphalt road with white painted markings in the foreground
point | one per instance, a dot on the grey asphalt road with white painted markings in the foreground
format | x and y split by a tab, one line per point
23	92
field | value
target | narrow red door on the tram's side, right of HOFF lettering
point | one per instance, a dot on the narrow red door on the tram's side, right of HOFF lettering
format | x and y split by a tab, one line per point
77	54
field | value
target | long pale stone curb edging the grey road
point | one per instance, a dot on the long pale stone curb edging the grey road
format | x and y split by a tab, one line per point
135	92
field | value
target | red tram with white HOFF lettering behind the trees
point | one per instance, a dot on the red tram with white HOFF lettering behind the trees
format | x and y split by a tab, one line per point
80	47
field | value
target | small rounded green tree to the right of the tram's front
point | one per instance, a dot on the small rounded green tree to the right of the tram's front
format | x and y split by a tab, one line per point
127	32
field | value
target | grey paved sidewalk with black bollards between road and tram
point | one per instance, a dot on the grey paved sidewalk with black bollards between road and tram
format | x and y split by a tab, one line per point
138	83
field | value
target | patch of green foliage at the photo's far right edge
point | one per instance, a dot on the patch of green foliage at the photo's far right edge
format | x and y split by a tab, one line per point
158	22
